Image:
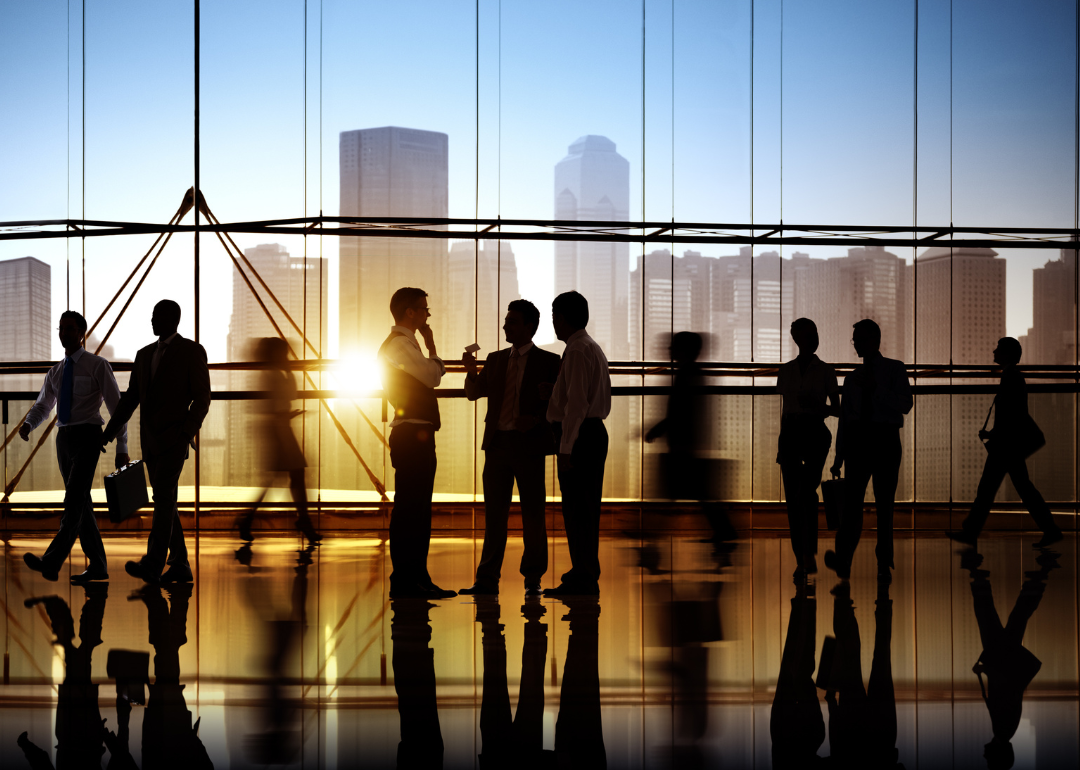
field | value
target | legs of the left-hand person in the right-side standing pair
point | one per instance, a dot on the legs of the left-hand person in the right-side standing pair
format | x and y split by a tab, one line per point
803	450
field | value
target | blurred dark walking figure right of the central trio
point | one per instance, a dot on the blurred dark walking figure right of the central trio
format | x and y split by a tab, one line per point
685	469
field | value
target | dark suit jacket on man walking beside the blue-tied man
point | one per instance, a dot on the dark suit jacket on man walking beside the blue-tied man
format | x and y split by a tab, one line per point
174	403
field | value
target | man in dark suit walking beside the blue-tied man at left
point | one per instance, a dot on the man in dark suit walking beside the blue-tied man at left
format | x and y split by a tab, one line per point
171	383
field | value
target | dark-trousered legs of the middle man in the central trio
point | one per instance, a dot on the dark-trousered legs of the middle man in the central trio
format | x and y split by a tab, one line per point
508	460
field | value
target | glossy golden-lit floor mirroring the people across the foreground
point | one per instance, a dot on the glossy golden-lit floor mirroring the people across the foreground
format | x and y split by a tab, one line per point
298	658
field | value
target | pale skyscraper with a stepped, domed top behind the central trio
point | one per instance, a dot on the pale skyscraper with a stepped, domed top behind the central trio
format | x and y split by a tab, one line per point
592	183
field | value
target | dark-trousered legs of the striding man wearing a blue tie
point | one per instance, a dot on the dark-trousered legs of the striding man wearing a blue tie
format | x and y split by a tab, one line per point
78	450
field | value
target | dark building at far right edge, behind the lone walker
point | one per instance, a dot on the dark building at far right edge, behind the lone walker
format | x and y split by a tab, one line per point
1052	340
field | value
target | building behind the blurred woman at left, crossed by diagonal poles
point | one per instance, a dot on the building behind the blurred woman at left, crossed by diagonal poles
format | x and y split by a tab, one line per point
296	283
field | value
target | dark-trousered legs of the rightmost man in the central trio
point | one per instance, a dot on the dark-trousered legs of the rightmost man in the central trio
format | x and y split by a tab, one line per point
583	487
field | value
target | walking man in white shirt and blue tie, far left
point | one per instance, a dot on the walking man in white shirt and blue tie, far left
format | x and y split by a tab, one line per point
77	387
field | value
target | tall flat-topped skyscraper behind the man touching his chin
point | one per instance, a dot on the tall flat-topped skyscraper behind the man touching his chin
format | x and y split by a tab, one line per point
390	172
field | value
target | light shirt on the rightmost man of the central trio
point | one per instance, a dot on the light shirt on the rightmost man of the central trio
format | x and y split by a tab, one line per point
584	388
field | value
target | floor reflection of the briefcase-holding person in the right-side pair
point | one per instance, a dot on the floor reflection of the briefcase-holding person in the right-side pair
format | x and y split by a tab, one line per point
862	721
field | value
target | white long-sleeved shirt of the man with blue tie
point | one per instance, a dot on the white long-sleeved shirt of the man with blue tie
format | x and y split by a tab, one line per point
93	383
